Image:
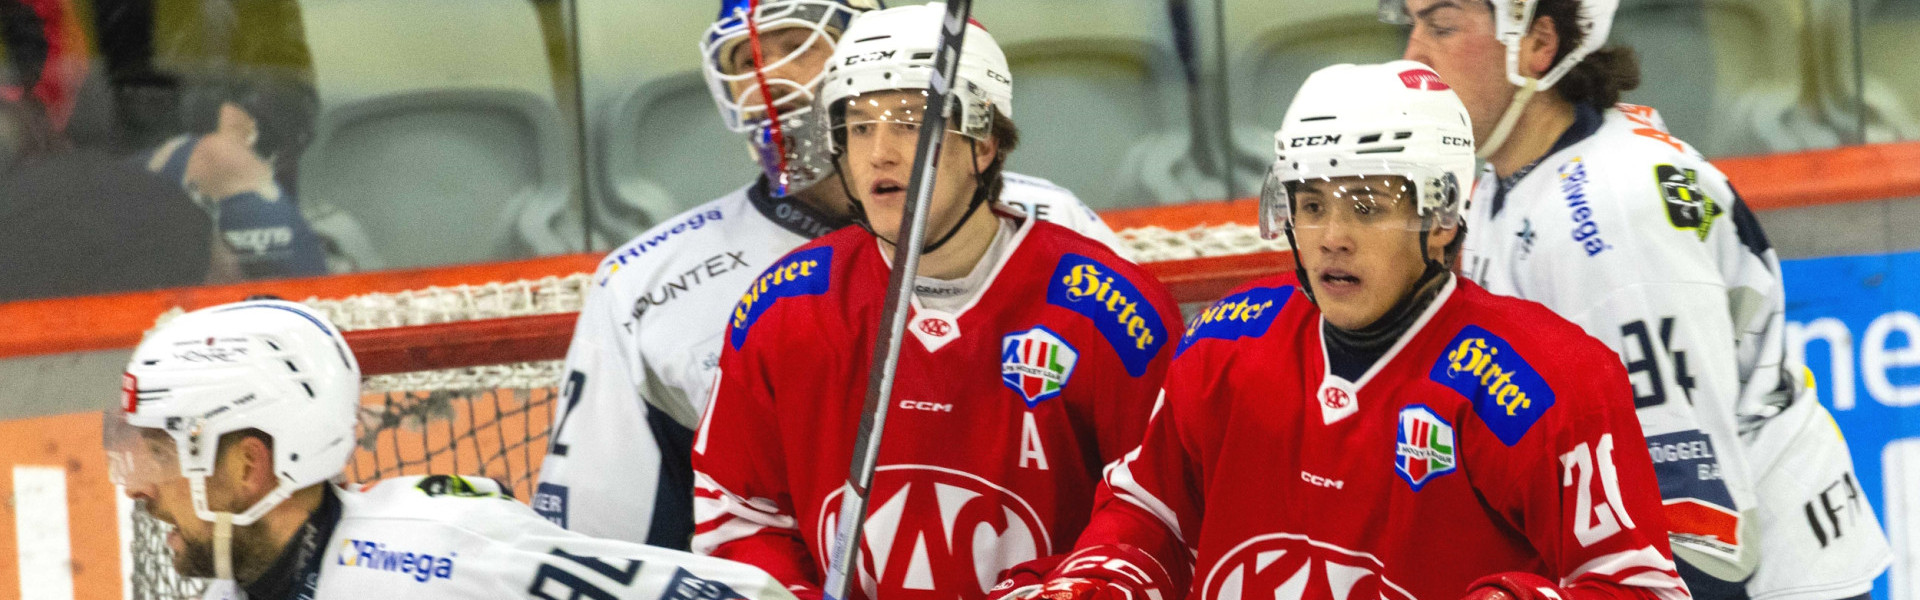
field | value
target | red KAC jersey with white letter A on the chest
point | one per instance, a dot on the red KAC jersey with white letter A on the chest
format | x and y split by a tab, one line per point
1003	420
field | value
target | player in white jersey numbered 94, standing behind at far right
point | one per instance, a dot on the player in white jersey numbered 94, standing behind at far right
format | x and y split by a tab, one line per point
1598	212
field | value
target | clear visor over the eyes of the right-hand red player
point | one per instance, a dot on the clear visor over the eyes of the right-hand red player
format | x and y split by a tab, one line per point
1353	201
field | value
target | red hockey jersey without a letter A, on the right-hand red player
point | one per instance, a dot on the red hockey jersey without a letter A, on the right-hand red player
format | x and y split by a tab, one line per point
1495	437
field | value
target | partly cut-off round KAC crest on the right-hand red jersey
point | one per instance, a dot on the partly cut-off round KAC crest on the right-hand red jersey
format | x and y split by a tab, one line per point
1295	566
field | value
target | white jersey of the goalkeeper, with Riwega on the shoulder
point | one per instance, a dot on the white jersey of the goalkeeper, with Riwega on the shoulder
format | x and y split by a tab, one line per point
644	355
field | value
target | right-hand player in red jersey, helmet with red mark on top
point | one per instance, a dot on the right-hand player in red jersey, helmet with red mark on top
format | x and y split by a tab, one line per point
1374	426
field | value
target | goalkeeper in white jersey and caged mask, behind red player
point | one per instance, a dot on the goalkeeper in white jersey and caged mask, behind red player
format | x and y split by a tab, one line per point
648	341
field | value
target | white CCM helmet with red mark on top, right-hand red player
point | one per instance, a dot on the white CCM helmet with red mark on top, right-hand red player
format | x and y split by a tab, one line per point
1374	120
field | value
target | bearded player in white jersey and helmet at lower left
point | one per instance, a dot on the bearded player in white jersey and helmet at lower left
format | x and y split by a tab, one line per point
237	422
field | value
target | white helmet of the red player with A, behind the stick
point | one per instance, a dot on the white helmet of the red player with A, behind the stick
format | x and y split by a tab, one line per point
894	51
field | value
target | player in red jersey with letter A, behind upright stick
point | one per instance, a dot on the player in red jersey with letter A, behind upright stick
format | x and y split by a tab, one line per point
1032	357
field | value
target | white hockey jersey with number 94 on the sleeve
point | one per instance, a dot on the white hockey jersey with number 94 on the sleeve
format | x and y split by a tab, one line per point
1633	236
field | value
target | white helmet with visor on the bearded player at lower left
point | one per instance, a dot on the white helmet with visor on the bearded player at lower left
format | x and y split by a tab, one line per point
274	366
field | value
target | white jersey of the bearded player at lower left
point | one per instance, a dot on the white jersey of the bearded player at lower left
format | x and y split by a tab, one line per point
452	537
